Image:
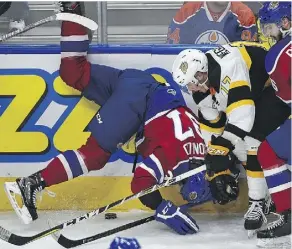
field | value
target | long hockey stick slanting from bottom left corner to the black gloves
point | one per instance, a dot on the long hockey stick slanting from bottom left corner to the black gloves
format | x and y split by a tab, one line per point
22	240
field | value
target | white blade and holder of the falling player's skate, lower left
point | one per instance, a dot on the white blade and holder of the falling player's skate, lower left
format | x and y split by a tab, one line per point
11	190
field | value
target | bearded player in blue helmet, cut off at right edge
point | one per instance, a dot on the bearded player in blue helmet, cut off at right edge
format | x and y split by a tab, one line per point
275	152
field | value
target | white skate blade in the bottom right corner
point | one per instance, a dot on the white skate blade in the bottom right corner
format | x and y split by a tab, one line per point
275	243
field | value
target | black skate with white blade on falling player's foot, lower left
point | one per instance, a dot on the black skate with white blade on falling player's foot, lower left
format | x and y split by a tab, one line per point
27	188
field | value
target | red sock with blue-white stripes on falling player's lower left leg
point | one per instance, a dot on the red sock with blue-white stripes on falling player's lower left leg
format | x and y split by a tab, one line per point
74	163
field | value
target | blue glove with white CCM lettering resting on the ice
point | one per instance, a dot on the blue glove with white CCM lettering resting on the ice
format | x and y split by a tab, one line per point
176	218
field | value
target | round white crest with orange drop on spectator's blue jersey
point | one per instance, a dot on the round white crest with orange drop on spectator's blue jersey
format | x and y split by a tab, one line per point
212	37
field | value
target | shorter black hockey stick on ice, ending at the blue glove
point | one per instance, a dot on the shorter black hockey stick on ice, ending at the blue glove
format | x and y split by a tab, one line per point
68	243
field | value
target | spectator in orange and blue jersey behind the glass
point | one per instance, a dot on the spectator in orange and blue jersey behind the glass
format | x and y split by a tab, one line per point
212	23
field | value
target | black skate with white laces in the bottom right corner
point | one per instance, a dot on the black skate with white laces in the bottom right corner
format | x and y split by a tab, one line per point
277	234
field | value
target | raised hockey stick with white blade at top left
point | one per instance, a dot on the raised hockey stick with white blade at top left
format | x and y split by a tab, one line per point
84	21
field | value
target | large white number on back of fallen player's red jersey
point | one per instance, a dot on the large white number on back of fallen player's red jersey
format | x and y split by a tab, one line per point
178	131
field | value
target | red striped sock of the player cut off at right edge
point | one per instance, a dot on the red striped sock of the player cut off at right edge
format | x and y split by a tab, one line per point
277	175
